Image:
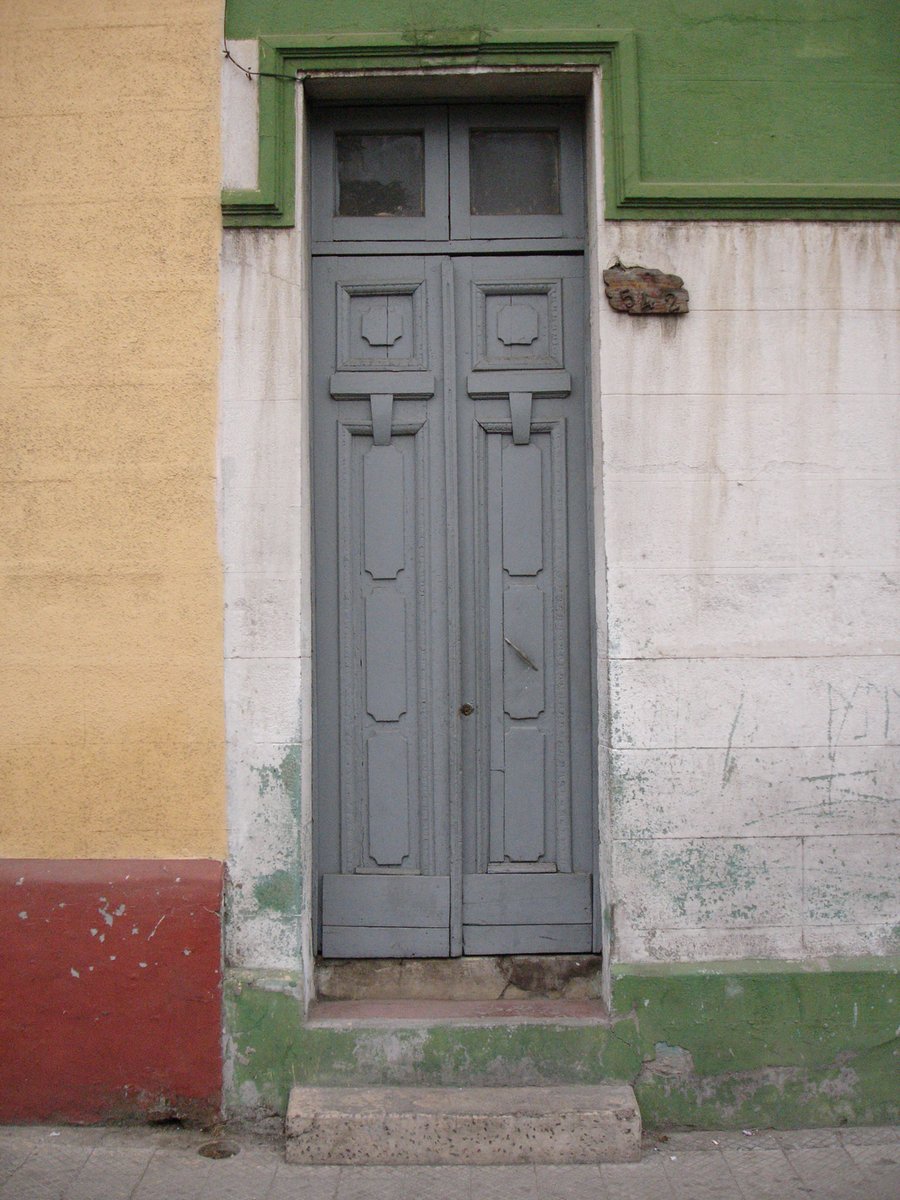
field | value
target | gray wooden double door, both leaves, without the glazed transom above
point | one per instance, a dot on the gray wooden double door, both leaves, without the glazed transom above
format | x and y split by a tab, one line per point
454	764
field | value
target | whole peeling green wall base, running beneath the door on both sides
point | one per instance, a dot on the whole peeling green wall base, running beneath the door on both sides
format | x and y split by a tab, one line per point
716	1046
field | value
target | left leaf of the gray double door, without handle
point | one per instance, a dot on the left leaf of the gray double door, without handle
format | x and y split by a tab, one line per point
381	609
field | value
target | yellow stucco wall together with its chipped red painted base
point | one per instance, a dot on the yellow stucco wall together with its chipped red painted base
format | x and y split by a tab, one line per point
112	733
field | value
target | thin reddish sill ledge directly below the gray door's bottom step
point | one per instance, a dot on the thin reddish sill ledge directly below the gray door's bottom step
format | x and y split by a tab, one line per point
457	1012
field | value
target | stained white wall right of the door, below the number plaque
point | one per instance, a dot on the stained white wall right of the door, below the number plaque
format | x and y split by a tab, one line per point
751	494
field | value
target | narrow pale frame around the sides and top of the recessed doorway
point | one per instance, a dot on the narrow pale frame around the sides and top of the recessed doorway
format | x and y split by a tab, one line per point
475	85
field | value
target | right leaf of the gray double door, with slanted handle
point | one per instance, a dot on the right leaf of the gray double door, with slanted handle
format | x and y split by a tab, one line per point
527	753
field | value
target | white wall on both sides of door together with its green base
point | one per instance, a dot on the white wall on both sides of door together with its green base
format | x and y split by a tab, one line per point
748	453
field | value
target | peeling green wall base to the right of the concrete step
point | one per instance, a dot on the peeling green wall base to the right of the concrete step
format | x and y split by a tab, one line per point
765	1043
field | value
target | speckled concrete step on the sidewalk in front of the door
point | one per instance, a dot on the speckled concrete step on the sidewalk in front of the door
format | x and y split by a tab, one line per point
442	1126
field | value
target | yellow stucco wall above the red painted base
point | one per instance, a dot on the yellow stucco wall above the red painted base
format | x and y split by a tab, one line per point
111	597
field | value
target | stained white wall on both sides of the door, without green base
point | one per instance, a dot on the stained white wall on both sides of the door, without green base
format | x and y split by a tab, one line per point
749	539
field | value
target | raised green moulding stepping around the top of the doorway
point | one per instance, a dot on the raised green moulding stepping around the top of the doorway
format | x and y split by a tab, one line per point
628	194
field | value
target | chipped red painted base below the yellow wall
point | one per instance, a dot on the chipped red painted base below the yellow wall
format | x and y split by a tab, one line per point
110	989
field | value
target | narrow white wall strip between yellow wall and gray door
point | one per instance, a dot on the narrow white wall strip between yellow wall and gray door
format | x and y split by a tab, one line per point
266	521
